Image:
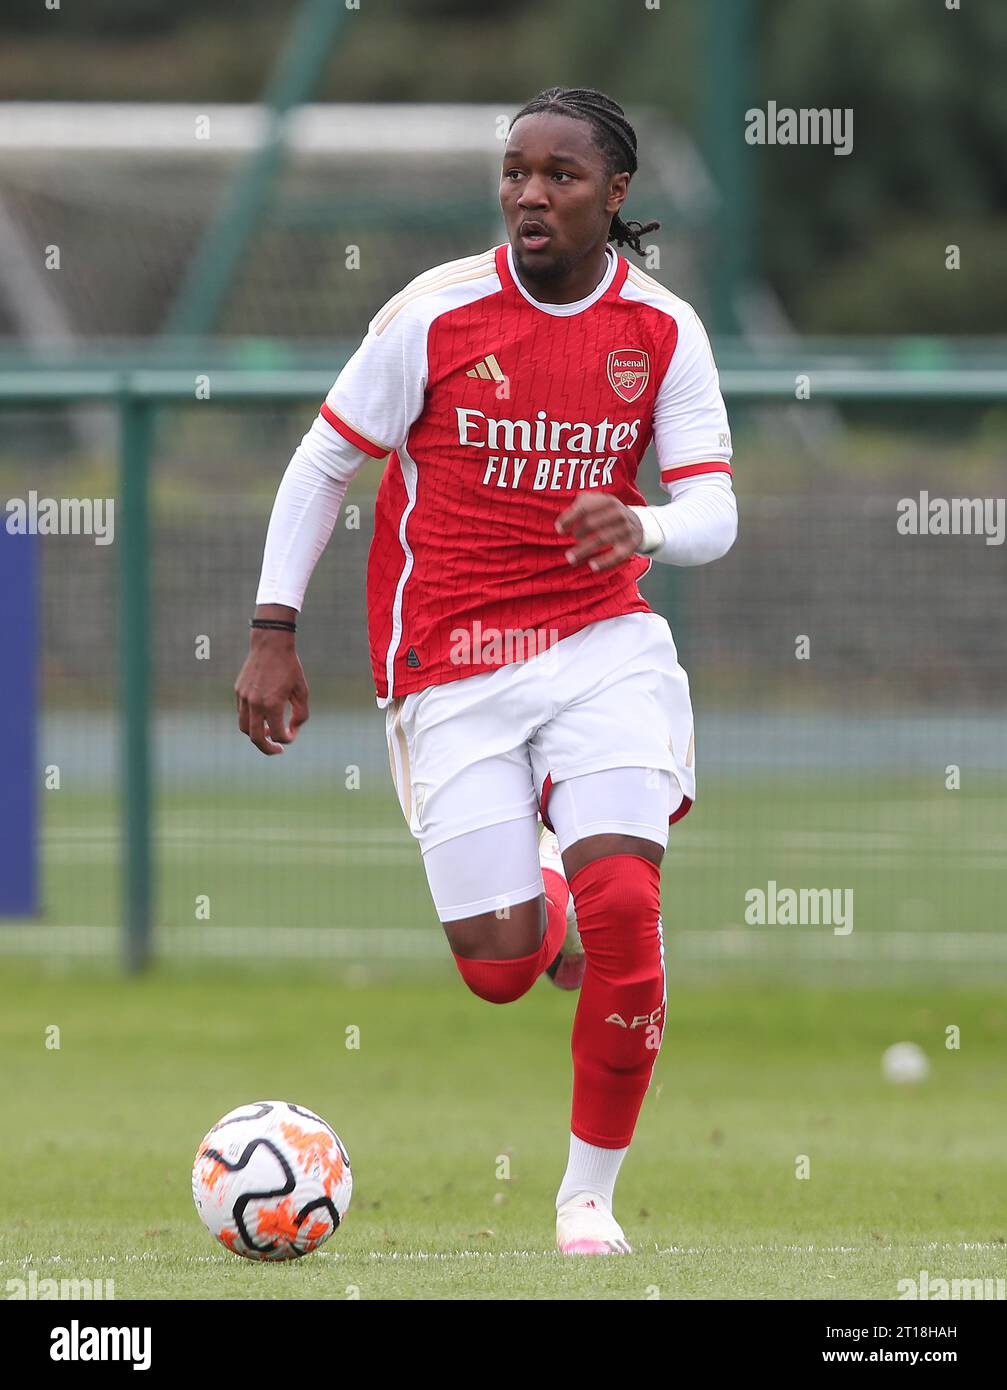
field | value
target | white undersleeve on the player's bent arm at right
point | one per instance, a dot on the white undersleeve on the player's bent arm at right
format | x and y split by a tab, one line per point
698	526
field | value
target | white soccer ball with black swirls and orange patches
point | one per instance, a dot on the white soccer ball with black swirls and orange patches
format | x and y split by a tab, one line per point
272	1181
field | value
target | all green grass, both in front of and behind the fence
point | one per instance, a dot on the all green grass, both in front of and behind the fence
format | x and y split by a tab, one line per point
757	1070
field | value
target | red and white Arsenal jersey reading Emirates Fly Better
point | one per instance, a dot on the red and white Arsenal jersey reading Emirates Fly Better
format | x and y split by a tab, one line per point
497	411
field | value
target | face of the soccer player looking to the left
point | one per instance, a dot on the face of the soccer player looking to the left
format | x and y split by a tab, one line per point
557	195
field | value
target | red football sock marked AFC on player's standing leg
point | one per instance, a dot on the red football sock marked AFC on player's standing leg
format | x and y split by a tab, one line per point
621	1013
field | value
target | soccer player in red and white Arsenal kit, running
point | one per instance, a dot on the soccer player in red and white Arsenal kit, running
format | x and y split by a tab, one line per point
521	671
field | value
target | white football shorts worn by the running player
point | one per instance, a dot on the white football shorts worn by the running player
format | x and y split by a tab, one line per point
489	749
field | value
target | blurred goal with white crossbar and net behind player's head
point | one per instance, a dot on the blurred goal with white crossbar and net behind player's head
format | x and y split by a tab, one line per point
365	199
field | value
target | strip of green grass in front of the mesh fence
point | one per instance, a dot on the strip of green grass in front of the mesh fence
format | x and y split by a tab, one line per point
101	1136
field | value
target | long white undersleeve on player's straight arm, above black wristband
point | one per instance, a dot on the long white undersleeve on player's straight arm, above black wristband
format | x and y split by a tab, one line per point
305	511
